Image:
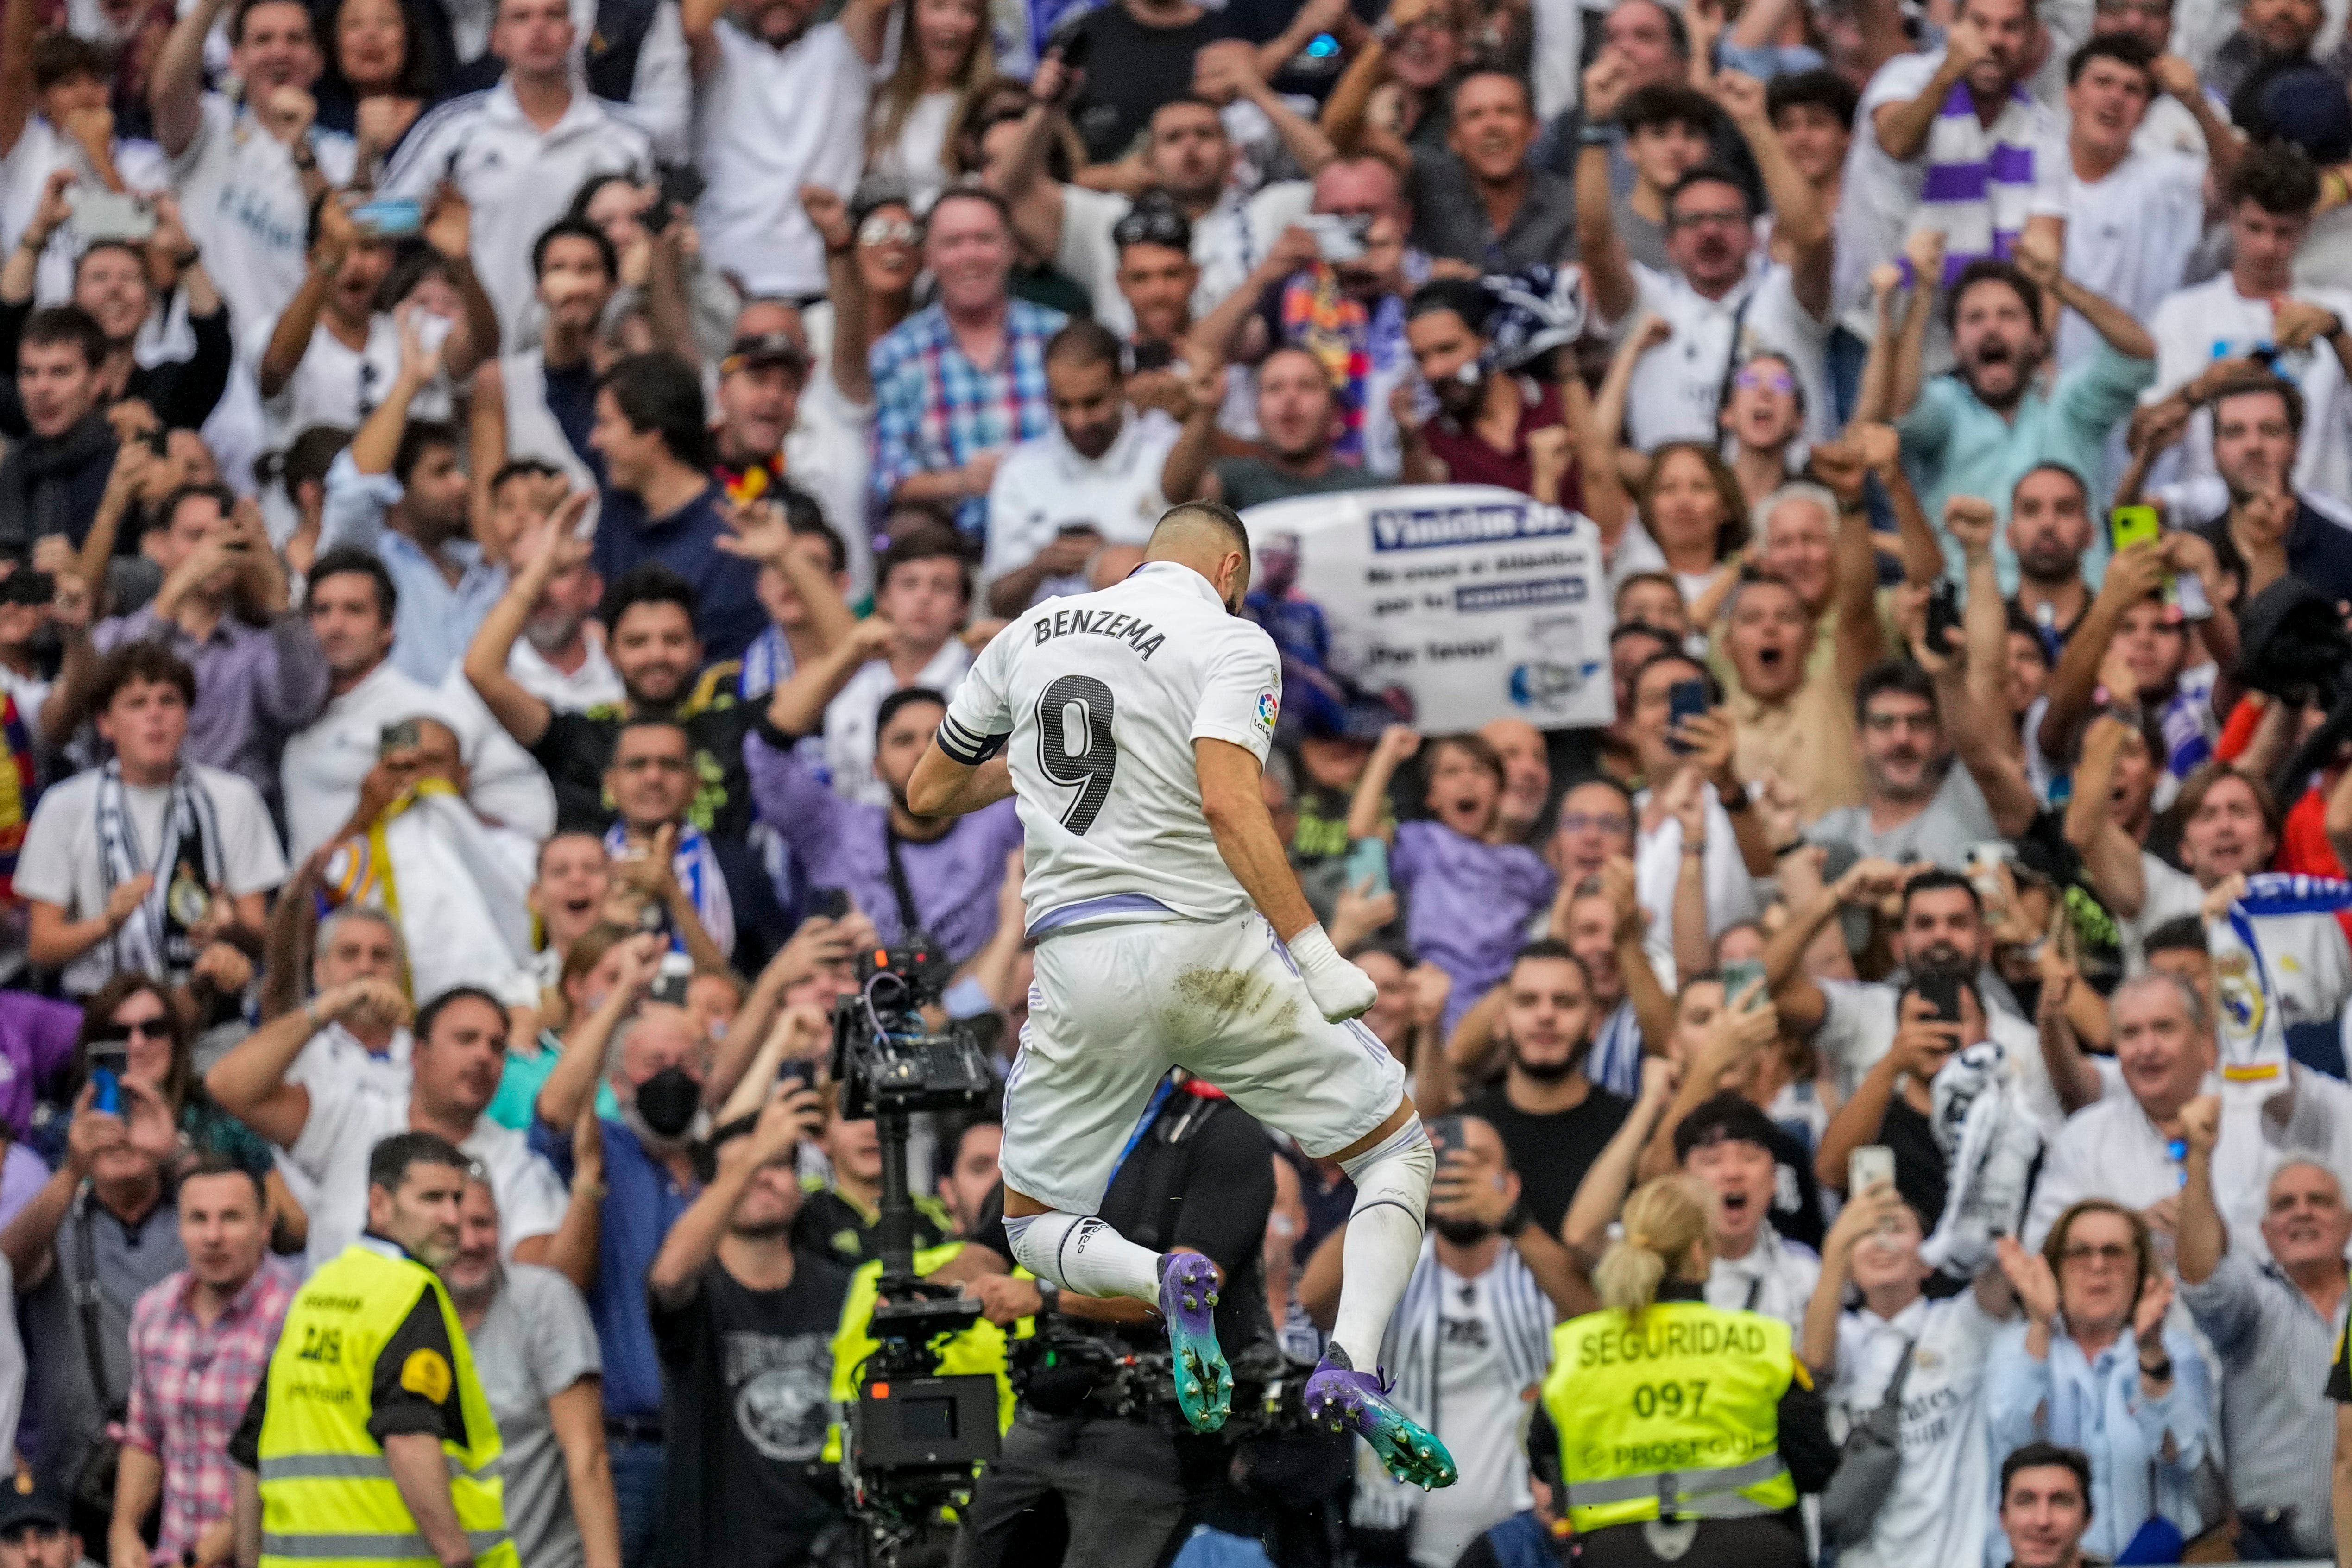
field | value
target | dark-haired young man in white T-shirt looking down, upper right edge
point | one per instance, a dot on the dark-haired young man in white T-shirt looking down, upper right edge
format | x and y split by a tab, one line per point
2259	304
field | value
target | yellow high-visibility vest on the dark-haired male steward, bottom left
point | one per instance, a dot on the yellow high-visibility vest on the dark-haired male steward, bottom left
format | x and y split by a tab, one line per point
328	1496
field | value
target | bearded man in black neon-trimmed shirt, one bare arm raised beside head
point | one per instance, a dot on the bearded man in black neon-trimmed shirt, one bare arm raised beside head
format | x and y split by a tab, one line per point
660	657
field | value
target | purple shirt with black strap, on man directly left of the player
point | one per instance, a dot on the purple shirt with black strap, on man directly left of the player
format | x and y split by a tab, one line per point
954	880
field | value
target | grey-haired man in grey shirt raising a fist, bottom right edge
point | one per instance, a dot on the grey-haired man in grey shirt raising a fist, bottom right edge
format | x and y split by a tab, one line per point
2273	1325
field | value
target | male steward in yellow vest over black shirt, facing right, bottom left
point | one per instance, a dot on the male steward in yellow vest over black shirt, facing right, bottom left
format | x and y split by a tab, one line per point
377	1445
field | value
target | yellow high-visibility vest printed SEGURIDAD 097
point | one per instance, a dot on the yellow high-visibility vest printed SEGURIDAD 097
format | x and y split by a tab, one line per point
1671	1419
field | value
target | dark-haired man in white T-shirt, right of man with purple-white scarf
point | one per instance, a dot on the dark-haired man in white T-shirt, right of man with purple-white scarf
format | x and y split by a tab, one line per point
2132	217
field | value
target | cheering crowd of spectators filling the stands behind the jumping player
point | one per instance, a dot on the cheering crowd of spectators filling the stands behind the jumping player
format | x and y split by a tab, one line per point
497	500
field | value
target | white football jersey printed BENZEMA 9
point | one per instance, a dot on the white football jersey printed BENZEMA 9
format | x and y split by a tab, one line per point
1097	702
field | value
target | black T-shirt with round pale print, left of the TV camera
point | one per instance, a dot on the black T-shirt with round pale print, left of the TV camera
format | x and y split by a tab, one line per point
747	1391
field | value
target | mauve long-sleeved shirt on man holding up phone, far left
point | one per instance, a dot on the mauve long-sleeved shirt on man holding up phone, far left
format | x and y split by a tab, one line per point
253	688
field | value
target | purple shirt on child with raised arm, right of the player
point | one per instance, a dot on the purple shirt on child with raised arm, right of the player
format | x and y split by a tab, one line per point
1466	906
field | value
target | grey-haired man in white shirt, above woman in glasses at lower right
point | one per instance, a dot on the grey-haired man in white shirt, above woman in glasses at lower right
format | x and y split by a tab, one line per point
2123	1146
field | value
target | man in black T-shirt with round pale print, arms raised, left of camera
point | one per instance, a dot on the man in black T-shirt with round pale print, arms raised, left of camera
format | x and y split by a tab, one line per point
744	1322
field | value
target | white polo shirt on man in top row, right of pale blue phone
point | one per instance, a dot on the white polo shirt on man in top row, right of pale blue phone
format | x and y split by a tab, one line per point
516	177
